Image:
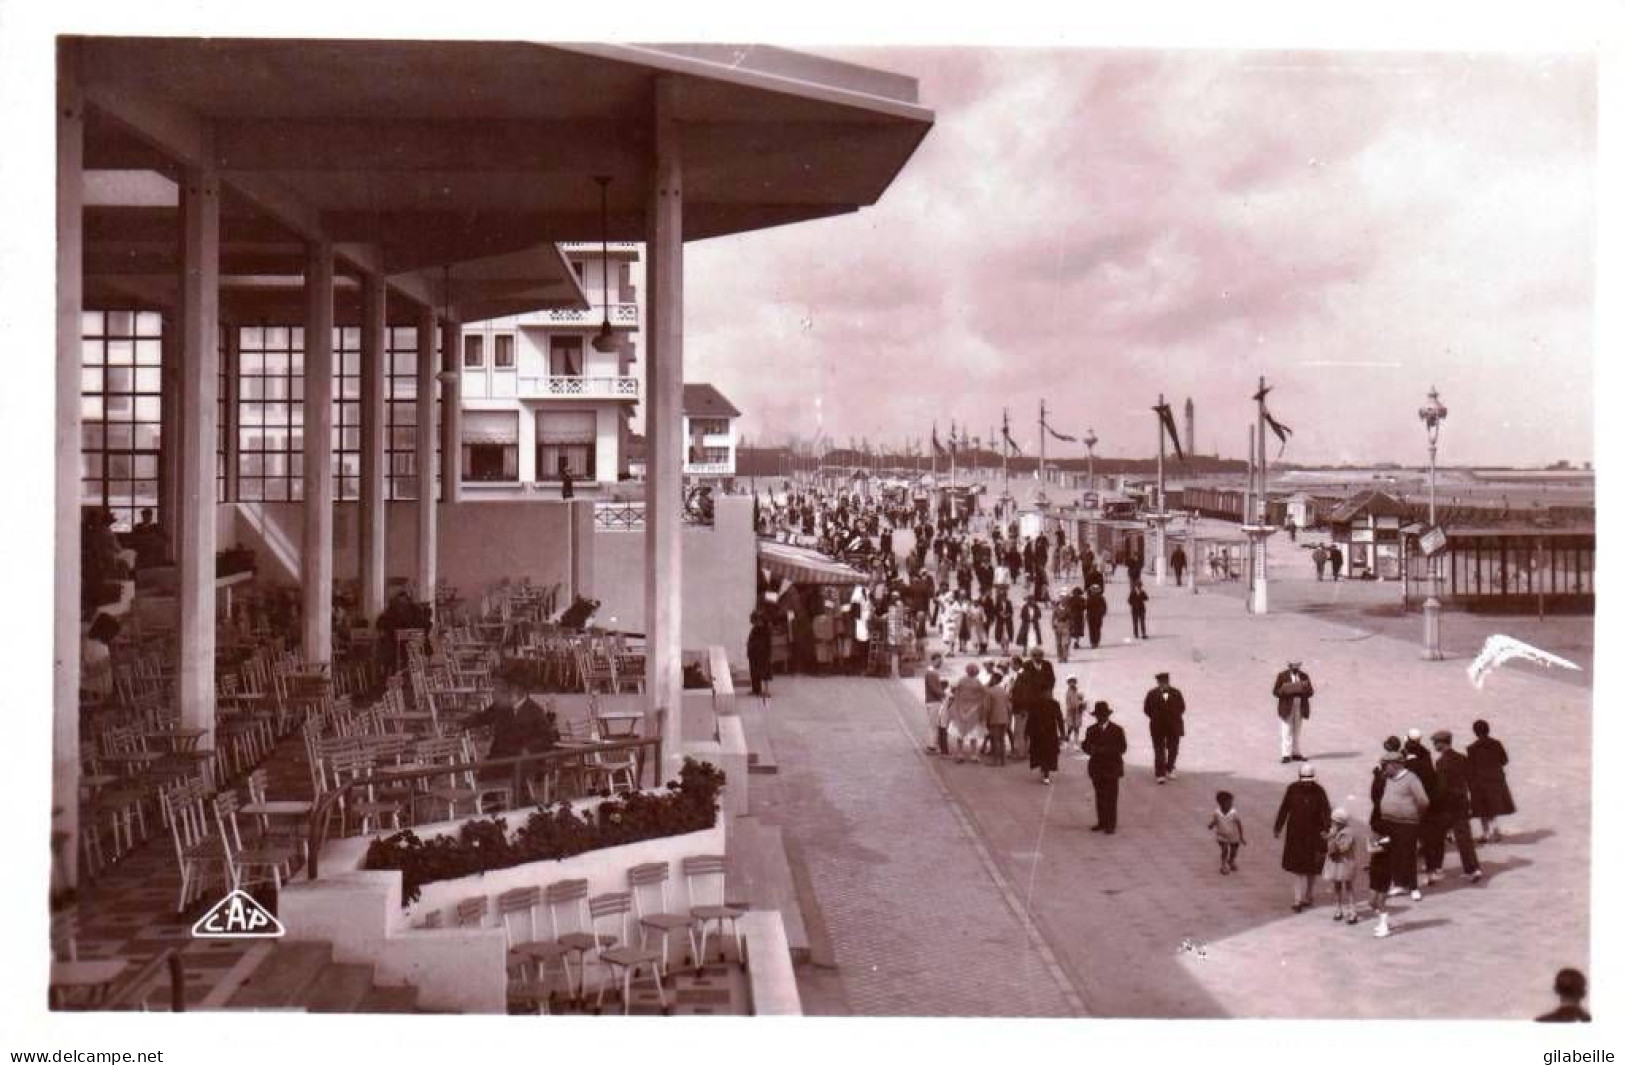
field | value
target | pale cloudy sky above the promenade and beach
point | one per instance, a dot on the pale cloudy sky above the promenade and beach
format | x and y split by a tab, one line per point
1094	227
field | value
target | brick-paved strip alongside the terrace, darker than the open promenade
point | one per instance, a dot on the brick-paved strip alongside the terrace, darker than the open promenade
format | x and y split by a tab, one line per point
924	923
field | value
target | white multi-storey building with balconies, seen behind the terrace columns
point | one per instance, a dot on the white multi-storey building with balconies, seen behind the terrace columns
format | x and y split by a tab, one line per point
539	398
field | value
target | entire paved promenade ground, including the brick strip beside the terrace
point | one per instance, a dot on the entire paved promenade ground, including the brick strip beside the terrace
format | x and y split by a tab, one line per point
1142	923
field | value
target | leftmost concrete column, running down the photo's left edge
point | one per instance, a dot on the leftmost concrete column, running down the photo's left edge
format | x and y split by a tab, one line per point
71	308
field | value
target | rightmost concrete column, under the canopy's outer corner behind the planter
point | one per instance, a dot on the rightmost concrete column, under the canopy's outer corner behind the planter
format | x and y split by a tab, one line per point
664	523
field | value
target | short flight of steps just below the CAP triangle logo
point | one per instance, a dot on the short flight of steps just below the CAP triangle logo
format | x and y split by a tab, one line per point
305	976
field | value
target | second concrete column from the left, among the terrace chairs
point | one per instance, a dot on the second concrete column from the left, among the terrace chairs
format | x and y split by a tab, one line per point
199	393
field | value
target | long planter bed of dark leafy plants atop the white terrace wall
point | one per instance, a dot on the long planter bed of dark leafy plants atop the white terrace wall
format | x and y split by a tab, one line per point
552	833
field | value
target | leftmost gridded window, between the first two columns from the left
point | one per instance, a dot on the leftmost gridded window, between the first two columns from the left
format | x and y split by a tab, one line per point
121	409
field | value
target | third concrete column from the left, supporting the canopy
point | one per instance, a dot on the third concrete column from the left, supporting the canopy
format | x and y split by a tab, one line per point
316	557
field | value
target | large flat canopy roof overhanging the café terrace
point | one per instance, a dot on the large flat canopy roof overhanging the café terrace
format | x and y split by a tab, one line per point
418	155
